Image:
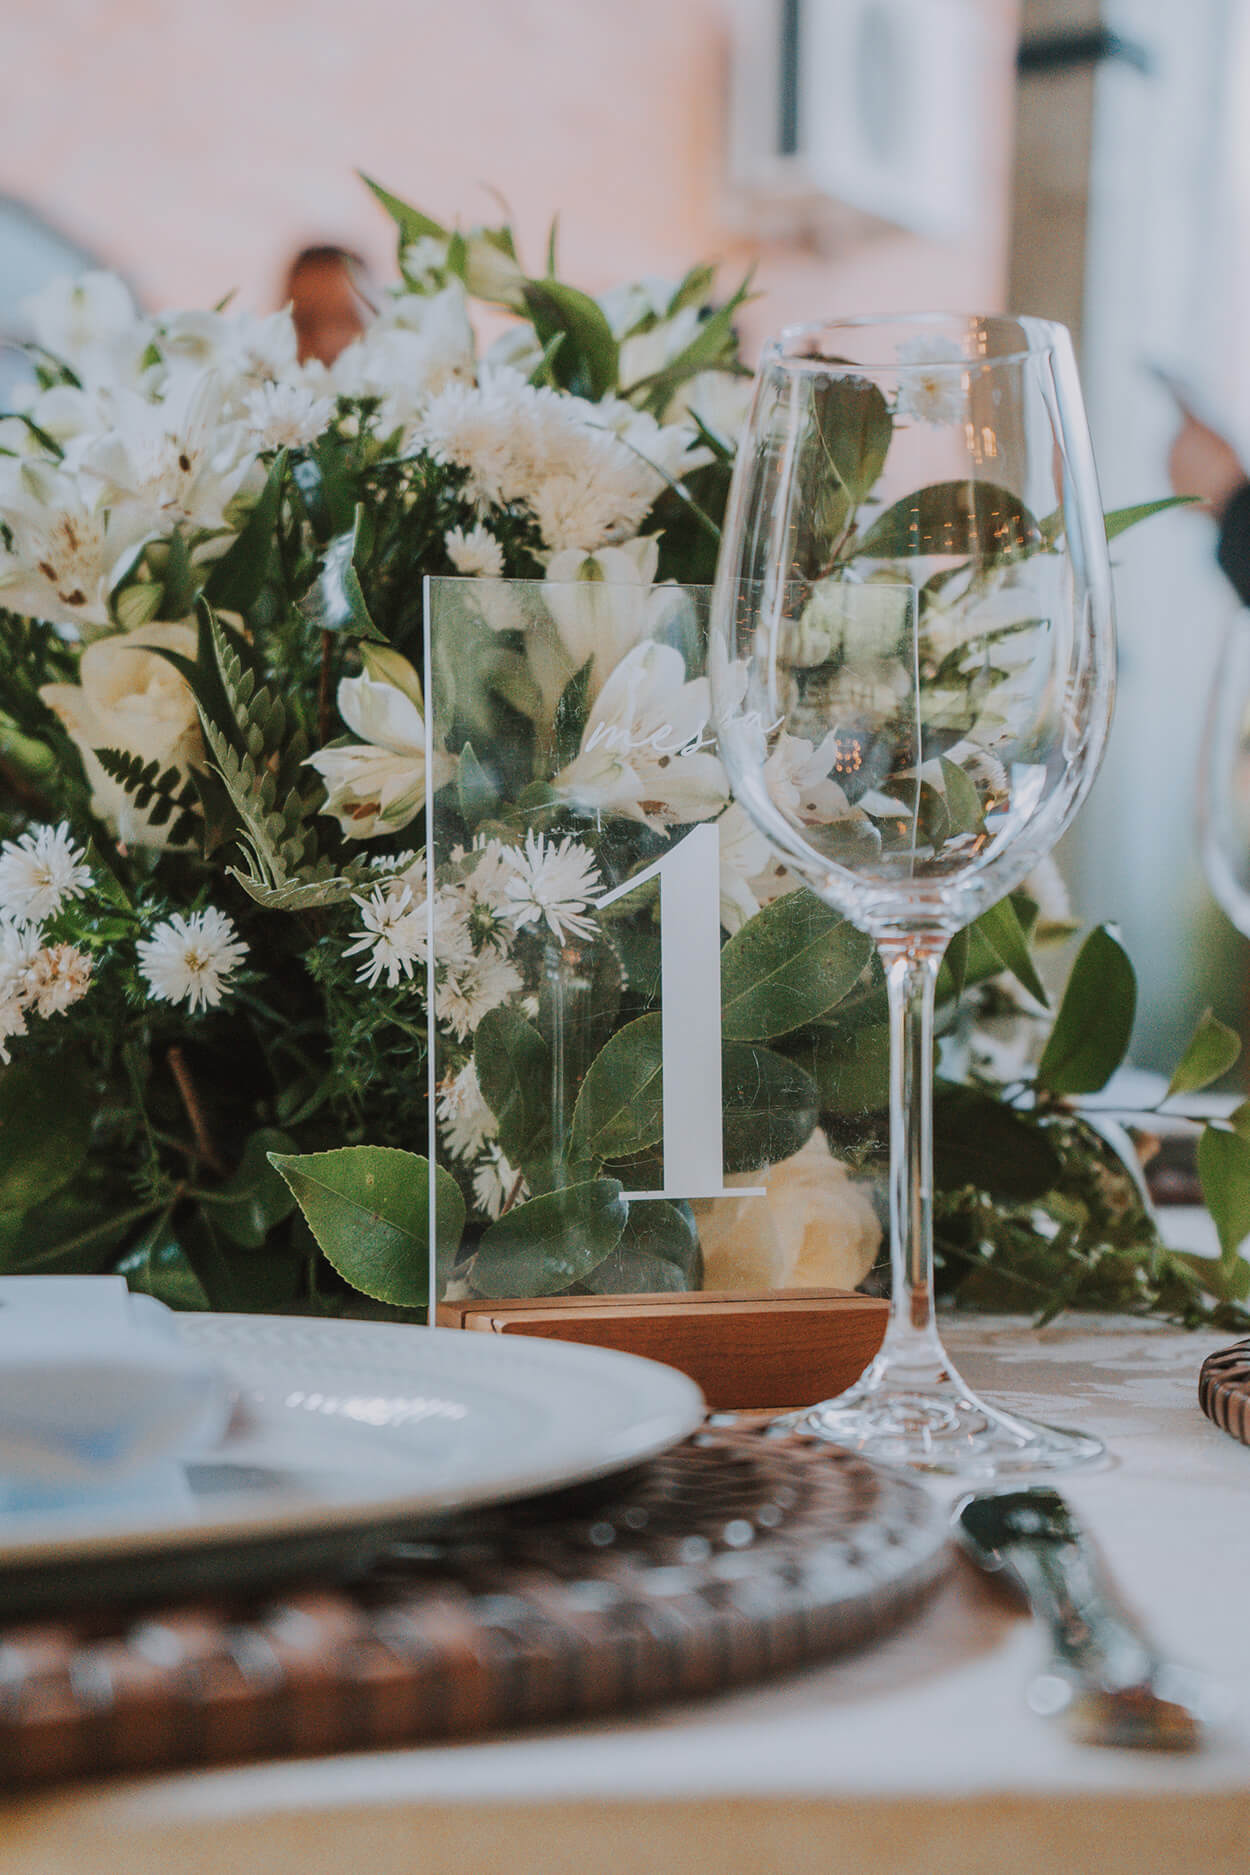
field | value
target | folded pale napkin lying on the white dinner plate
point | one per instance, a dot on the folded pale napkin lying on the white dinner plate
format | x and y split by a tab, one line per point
97	1387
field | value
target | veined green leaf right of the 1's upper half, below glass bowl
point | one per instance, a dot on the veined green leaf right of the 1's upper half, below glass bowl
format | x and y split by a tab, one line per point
788	967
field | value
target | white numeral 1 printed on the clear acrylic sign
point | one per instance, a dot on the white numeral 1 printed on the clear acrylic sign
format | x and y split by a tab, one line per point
691	1023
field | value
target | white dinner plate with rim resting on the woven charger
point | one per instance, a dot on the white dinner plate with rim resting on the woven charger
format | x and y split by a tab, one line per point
348	1433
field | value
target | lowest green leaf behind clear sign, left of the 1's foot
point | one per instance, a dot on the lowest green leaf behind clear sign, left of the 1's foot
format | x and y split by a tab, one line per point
554	1242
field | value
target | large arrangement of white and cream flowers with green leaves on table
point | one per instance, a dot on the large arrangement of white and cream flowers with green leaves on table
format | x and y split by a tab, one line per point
216	775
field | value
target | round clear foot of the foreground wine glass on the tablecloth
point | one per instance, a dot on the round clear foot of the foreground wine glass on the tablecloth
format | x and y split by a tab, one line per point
936	1424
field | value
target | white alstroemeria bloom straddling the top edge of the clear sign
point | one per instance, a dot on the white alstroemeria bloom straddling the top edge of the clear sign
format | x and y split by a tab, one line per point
606	603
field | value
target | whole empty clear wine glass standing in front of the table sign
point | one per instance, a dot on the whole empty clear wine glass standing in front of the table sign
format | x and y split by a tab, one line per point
914	665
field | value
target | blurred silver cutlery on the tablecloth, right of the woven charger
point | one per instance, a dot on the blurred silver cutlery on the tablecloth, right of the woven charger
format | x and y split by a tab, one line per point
1107	1679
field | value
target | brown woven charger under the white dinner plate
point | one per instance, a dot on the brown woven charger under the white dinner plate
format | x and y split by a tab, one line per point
724	1561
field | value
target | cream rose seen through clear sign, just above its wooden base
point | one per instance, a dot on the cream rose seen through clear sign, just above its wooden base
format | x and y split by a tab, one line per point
812	1229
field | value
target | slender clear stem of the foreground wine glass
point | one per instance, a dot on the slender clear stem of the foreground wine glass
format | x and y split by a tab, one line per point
912	965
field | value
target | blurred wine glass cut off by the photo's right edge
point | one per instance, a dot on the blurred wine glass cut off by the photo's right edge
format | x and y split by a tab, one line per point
1225	779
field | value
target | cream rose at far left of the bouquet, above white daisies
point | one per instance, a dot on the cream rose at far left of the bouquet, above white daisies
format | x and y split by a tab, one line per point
130	698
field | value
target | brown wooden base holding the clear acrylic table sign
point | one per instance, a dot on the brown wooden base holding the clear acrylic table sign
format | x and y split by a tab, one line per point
788	1349
